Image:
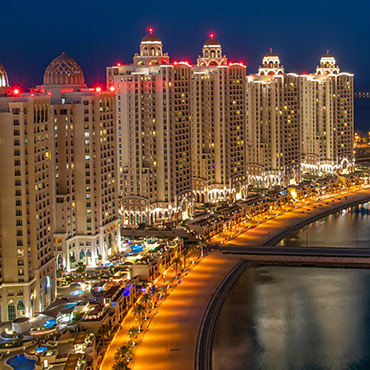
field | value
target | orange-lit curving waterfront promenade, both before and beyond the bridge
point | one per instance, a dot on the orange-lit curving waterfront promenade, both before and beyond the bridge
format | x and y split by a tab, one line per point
171	340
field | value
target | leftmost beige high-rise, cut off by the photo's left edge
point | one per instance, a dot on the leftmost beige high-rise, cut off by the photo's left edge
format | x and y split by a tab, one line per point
27	271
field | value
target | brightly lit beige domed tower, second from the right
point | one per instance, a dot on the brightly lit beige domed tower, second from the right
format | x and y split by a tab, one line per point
273	125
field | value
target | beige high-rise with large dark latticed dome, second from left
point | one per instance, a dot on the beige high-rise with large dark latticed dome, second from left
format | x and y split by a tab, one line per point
83	133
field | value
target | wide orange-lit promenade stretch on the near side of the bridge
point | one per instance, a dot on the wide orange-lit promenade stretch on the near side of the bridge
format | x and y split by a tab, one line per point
170	342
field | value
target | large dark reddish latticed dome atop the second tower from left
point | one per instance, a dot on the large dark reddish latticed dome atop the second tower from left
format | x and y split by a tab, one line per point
63	70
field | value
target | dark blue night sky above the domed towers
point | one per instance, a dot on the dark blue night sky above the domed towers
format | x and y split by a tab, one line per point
100	33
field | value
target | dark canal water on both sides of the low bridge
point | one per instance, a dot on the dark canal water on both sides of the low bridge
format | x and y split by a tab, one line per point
301	317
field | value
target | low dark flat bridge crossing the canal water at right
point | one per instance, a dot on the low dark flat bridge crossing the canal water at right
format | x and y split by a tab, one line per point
300	256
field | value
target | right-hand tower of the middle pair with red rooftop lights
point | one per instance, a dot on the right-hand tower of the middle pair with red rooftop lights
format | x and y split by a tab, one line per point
218	114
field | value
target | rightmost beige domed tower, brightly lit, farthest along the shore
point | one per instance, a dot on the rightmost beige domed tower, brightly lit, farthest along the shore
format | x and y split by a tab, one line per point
326	100
